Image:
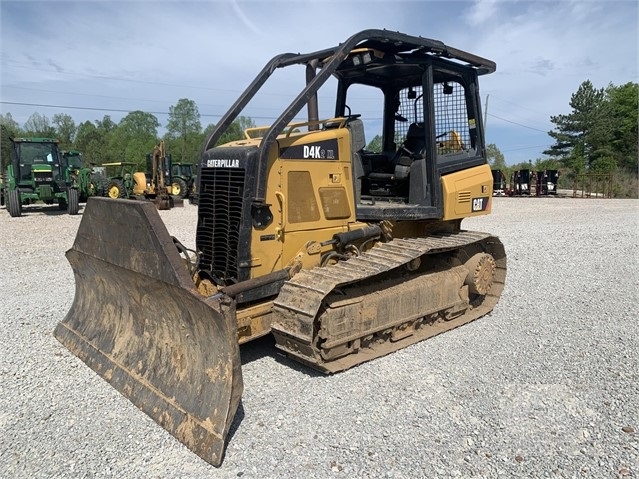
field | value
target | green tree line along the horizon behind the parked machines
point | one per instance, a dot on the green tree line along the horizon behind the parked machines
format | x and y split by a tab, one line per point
599	135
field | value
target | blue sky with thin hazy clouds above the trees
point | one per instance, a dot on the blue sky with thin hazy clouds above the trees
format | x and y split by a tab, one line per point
92	58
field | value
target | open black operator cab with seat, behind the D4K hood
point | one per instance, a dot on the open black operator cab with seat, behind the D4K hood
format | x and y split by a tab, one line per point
429	124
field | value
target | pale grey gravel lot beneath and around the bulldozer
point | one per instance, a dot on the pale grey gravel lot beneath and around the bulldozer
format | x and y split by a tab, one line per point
545	386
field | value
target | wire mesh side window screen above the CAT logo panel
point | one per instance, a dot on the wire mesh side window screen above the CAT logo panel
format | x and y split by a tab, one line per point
451	118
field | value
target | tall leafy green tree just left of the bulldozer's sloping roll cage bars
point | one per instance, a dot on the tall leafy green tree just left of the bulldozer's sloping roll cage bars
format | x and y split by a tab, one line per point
184	130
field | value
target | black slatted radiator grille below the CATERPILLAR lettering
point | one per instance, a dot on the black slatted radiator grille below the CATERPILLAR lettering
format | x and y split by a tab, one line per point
220	217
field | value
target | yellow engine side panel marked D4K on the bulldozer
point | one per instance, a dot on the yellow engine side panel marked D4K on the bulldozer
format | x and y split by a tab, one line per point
293	191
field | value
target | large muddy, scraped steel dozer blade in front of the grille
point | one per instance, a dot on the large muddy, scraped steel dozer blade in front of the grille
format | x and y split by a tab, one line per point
138	321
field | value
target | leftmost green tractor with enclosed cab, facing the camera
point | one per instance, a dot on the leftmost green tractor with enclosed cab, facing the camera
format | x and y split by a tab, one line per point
37	172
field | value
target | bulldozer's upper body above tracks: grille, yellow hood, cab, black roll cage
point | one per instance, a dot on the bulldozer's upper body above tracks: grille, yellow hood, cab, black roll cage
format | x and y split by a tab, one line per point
403	117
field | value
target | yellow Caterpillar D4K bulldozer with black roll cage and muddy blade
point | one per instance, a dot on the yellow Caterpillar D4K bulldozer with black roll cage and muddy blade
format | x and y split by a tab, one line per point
342	252
